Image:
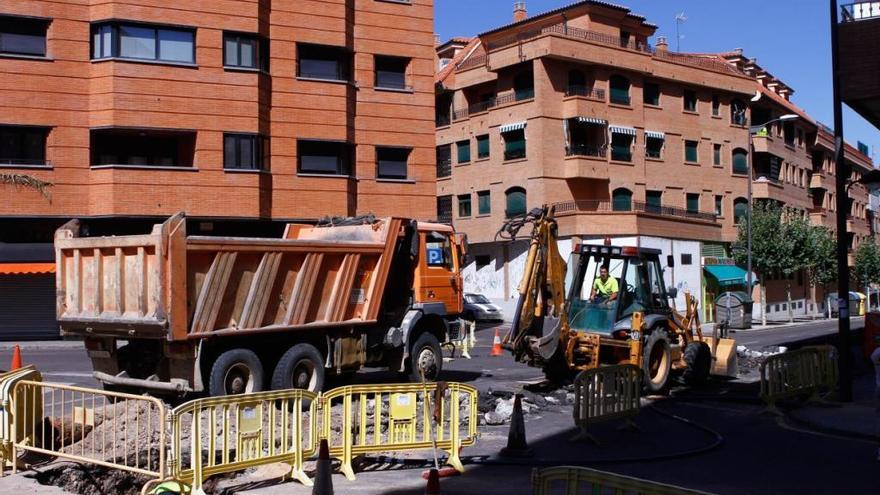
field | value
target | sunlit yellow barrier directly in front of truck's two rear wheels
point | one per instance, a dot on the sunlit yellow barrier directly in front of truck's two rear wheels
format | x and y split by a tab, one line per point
237	432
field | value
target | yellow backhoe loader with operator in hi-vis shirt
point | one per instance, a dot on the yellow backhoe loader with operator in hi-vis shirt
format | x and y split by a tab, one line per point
569	317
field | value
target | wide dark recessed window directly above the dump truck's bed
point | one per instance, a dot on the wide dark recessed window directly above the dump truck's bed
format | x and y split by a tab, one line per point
142	147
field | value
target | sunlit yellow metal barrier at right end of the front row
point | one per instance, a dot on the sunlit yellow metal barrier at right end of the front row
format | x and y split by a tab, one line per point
385	418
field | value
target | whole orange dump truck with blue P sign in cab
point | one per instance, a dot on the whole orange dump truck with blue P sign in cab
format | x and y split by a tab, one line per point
169	313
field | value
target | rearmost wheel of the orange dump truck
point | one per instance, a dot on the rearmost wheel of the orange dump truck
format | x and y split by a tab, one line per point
236	371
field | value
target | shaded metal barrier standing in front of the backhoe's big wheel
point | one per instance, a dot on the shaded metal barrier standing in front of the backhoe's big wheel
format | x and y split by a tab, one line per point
606	393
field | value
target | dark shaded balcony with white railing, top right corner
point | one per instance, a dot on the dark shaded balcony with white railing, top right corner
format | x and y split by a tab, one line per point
859	36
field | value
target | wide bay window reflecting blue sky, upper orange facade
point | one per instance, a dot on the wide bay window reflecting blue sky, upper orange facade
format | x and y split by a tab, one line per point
143	42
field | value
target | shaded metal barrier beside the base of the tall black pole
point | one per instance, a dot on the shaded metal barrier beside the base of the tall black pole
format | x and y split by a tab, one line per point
808	371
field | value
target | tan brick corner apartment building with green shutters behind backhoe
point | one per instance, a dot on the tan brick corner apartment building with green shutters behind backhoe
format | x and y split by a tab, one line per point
646	146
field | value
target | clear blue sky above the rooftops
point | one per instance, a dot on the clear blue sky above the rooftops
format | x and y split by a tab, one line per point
790	38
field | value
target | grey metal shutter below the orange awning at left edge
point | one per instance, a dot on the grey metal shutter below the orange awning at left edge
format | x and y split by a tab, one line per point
27	307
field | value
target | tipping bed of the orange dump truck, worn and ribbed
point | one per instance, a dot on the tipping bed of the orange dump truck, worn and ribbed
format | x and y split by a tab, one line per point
169	285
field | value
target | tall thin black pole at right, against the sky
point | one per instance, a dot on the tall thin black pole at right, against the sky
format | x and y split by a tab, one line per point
843	173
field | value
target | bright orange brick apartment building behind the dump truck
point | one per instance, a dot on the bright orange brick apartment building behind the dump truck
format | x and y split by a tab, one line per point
242	114
